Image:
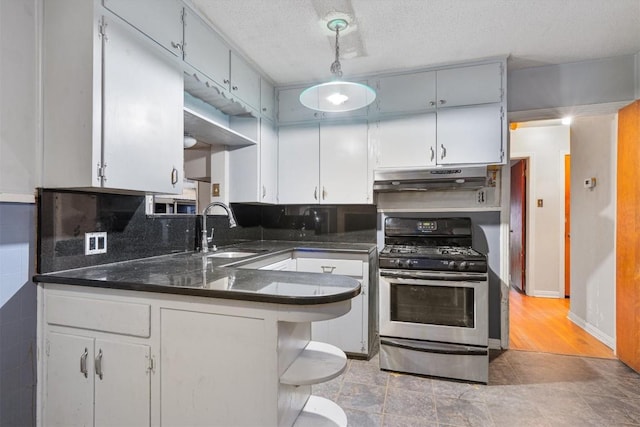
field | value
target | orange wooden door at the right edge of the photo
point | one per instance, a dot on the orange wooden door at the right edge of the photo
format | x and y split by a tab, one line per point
628	238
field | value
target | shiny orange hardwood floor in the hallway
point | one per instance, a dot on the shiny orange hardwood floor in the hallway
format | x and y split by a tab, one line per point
541	324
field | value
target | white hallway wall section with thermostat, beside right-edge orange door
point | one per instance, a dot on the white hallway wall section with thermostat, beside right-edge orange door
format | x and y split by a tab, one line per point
593	226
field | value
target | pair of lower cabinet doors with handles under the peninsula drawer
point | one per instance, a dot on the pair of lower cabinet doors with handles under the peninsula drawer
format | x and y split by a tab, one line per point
91	381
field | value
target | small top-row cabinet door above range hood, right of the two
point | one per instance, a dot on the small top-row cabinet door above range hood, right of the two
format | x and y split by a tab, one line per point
476	84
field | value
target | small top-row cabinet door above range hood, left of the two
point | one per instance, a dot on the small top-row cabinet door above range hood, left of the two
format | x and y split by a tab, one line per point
406	92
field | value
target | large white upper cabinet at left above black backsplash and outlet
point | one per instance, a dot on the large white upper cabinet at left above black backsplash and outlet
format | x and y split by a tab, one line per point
112	105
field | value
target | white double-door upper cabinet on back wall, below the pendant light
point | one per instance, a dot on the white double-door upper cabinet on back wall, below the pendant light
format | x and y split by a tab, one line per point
326	163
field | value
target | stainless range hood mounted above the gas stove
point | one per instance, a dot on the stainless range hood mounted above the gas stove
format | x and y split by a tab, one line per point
439	179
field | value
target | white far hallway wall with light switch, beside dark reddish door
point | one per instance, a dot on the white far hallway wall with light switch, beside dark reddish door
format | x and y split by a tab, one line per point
545	146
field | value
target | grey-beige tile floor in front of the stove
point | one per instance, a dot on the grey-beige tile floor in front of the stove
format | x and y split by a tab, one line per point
525	389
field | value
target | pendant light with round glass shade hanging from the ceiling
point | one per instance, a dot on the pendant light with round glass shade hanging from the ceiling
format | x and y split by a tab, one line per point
337	95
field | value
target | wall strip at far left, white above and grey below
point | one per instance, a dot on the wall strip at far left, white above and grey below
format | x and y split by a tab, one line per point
20	166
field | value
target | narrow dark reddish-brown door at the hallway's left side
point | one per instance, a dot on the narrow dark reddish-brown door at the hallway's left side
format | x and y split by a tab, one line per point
517	235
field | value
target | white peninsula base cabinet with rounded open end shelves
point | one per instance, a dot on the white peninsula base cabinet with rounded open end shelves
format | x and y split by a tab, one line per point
126	358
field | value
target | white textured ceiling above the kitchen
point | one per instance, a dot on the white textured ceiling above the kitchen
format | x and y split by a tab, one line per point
288	39
